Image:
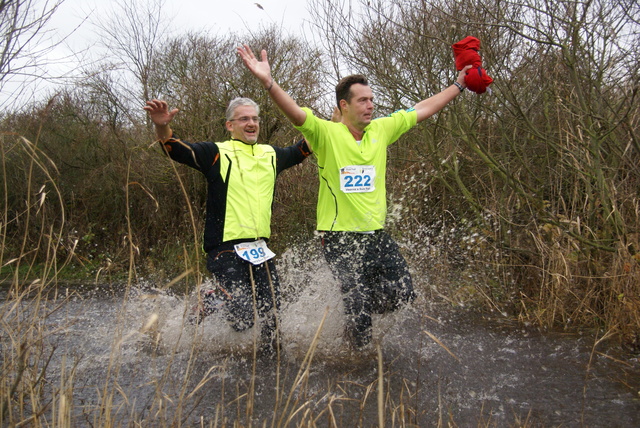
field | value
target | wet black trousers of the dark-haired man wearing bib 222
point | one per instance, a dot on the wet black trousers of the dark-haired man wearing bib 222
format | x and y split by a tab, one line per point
373	277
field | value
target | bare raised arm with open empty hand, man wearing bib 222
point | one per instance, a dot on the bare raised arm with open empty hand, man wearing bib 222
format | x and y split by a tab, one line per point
262	70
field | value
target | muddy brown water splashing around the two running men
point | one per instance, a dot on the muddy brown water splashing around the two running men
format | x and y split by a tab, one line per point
441	366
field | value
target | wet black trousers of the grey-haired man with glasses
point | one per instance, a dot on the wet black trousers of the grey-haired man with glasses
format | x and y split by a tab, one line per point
234	275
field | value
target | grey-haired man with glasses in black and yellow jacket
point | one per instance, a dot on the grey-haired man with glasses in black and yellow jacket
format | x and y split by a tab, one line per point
241	182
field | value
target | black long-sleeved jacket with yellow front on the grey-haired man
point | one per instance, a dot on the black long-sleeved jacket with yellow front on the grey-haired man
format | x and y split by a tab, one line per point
241	184
